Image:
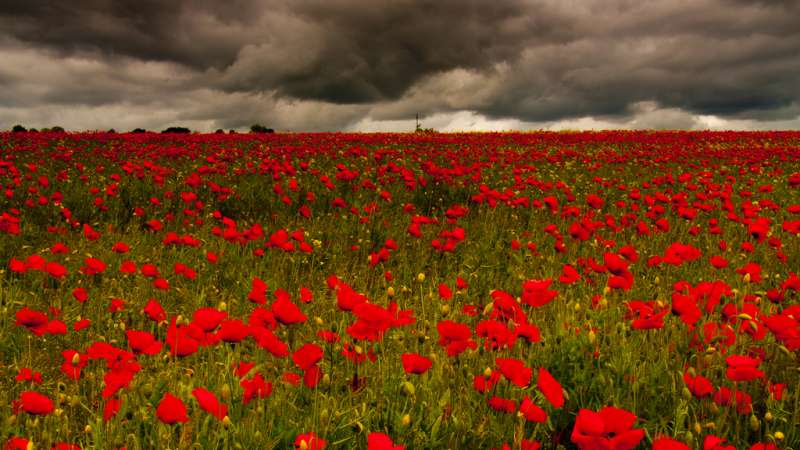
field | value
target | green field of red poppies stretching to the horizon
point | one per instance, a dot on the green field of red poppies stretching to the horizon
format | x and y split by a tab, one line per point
577	290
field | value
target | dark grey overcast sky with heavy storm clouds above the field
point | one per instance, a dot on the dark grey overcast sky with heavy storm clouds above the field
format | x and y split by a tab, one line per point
370	65
